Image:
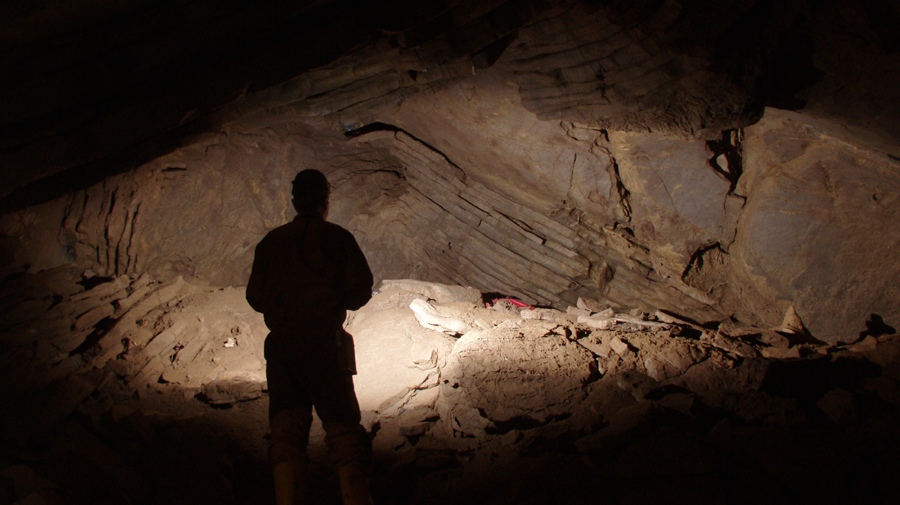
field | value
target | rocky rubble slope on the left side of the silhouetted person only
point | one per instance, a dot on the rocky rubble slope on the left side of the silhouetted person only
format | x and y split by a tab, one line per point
102	378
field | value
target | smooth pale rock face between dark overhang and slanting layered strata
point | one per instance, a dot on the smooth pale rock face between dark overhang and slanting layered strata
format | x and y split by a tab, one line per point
497	142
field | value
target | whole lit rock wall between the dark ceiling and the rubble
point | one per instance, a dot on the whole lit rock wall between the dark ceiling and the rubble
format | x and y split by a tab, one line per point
781	214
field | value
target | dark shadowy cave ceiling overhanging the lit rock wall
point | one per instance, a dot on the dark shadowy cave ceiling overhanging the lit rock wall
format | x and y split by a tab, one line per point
97	87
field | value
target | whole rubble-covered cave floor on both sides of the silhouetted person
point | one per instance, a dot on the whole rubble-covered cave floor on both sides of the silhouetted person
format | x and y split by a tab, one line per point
127	390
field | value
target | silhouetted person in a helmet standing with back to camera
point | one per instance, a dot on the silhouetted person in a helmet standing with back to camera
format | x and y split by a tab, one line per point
306	275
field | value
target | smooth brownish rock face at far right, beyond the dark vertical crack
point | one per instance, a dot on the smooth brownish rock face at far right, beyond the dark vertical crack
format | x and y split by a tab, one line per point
818	228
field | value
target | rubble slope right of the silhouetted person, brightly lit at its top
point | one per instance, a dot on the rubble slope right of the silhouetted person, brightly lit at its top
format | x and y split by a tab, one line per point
533	405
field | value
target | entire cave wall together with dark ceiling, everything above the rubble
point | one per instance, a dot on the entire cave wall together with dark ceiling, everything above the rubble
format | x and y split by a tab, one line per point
711	158
